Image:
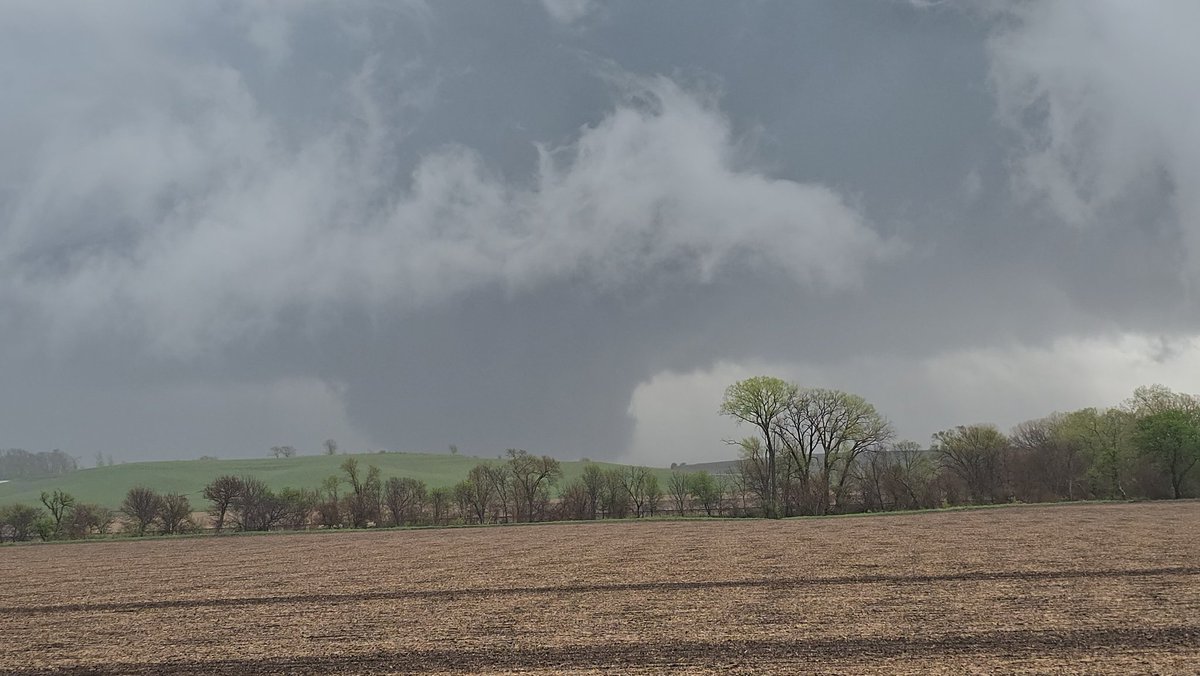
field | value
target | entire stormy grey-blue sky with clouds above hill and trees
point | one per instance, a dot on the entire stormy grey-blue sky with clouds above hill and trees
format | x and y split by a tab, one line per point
567	226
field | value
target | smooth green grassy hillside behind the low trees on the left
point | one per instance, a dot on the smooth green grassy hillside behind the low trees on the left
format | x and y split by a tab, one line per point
109	486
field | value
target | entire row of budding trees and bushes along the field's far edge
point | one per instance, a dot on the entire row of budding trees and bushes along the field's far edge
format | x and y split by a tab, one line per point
818	452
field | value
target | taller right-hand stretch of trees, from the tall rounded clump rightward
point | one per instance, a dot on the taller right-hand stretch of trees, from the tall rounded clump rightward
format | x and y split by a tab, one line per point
820	452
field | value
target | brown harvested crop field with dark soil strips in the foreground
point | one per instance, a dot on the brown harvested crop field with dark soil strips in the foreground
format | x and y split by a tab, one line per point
1084	589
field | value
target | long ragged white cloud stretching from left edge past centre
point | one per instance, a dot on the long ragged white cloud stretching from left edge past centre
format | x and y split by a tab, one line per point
195	220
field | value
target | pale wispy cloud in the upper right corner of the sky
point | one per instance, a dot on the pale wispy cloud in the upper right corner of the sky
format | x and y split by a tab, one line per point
1105	98
